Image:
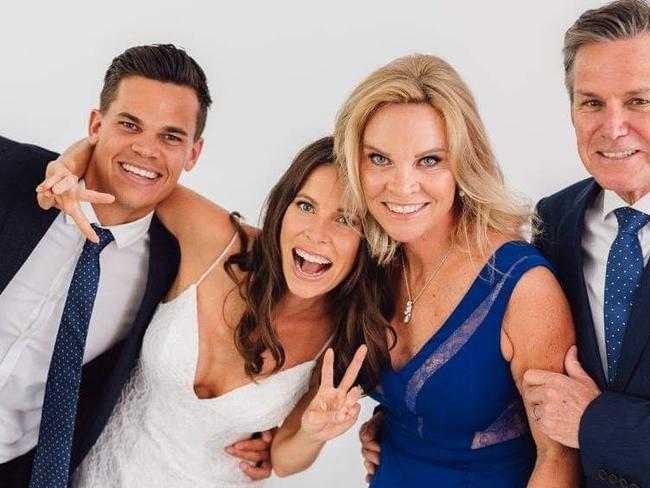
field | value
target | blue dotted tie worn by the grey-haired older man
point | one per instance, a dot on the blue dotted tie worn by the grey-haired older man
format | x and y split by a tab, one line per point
622	279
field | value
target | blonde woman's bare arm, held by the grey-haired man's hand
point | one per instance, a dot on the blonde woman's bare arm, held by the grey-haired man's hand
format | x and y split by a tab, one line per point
538	330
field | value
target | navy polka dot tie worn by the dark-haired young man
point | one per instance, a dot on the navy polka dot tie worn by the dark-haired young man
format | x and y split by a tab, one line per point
52	461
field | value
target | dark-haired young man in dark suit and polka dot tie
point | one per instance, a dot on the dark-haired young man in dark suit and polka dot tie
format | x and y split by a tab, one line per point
66	301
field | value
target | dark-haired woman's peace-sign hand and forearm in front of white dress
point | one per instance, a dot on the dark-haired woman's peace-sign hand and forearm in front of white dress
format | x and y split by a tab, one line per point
323	413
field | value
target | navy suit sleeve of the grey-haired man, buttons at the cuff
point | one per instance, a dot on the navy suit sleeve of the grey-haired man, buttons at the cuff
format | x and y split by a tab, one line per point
615	437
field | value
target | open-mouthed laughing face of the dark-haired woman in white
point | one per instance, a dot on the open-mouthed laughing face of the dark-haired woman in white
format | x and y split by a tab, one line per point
318	242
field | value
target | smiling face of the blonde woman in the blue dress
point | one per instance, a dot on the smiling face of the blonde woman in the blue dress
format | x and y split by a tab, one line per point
405	171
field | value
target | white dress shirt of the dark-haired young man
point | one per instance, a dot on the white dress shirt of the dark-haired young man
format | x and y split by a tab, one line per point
31	307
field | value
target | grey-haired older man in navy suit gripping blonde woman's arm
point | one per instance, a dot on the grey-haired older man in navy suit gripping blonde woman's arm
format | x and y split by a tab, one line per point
597	235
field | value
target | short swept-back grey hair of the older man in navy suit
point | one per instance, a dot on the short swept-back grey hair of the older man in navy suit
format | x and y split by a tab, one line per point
622	19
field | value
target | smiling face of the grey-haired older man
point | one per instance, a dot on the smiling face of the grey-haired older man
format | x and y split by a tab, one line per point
611	114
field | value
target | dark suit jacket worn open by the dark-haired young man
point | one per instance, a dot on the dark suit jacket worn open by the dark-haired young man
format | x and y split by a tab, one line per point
22	225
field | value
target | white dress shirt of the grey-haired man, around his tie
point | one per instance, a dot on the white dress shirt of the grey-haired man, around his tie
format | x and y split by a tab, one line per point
601	228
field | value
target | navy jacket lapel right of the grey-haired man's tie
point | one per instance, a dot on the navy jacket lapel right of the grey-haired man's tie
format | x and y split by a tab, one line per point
636	334
